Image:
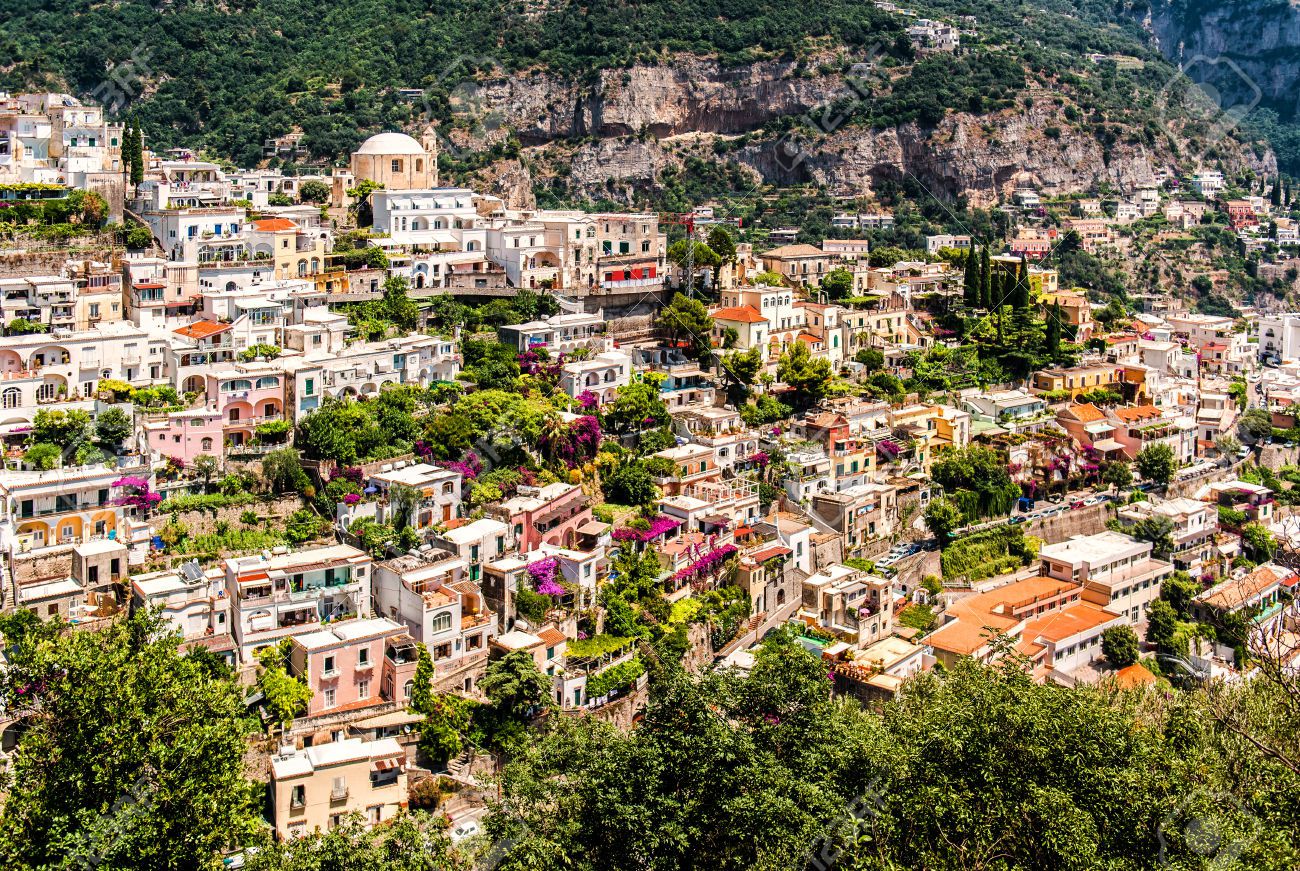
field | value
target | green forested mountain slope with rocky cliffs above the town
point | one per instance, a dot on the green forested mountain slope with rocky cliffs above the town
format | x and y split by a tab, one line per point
596	102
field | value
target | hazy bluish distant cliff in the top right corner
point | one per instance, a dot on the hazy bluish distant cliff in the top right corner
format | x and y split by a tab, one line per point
1250	51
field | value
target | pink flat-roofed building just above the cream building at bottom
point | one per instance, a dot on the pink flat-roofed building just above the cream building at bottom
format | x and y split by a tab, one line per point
348	668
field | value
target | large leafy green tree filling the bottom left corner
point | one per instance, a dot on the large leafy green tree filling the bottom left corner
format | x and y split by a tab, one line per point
131	755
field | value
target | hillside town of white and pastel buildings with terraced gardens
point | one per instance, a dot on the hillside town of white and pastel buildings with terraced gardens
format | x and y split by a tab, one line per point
385	450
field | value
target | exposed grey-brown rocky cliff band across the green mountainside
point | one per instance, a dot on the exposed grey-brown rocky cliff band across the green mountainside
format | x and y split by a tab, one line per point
618	135
